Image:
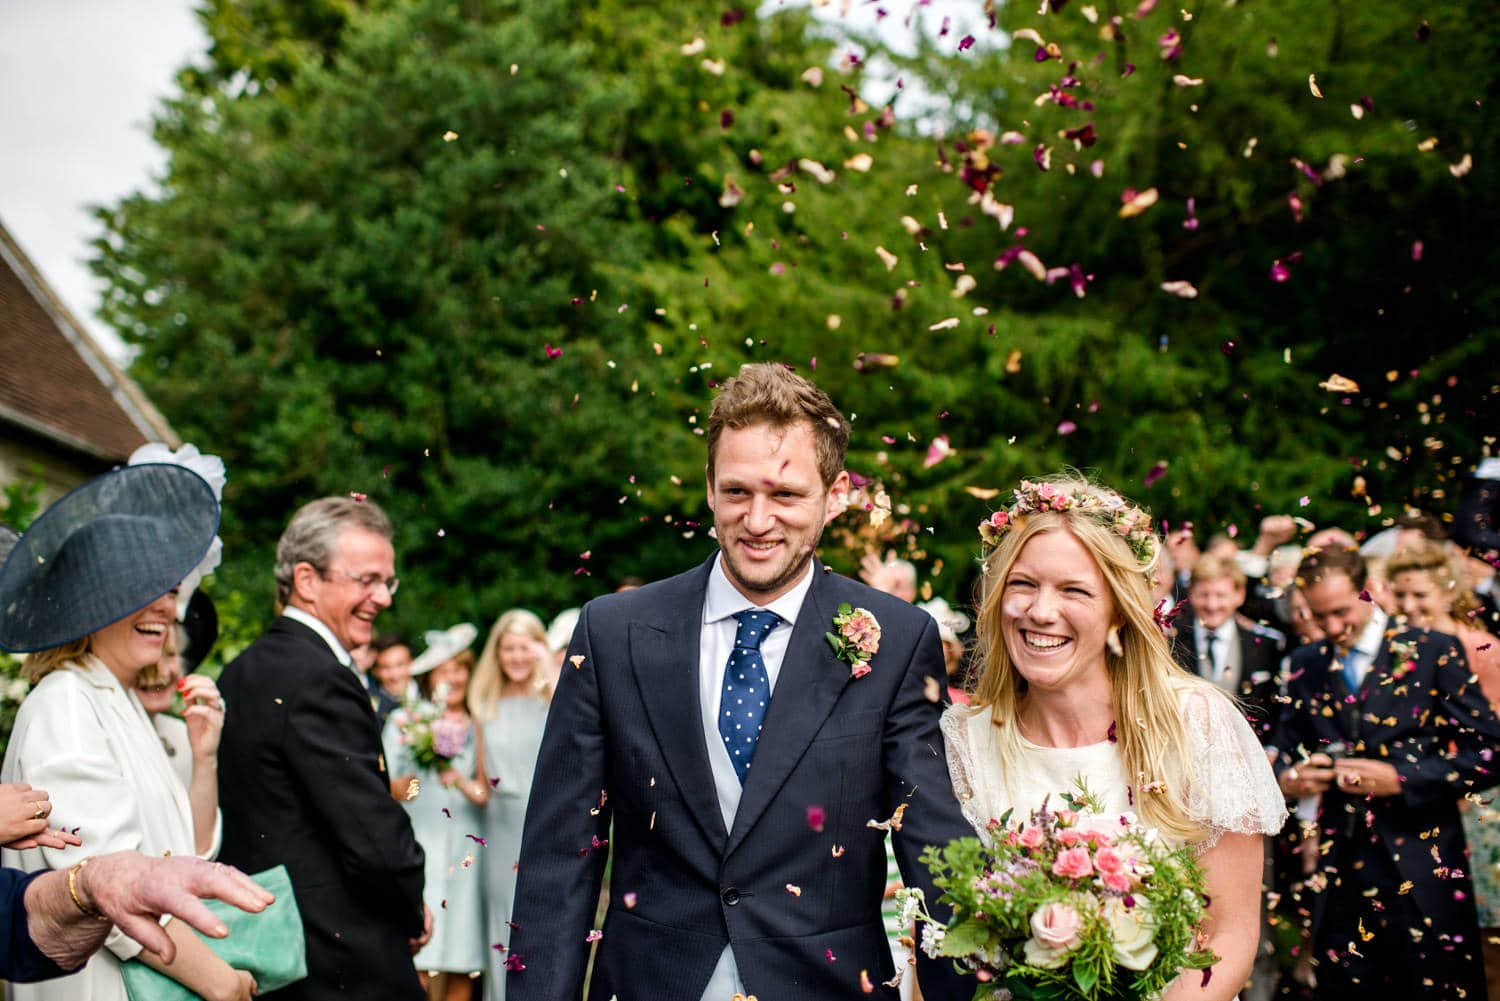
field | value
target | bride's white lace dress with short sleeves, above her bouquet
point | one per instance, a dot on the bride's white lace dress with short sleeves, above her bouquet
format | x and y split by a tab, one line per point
1232	789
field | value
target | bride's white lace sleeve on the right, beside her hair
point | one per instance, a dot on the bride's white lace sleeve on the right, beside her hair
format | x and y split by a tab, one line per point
1232	789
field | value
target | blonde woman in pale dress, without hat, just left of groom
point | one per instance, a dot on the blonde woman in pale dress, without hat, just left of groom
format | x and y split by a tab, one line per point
509	699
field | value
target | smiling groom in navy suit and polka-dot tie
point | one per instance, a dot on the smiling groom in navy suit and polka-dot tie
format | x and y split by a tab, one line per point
707	723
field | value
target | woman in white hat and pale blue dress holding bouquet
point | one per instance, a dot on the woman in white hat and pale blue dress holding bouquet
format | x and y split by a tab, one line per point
439	768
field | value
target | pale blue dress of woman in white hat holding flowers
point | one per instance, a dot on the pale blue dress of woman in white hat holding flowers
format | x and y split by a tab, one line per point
448	826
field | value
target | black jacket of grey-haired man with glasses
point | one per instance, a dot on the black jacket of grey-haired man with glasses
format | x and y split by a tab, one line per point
302	784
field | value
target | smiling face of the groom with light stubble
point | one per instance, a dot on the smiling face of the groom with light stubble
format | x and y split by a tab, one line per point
770	507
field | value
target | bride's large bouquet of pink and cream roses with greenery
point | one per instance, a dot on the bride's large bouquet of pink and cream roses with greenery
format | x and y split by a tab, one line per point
1070	906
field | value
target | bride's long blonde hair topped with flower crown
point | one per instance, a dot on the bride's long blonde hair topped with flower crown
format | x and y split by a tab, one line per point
1147	685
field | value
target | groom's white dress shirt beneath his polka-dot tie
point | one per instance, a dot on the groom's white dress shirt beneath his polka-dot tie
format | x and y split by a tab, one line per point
715	645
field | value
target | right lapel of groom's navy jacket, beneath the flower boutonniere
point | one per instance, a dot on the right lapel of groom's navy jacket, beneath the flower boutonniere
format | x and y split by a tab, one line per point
806	690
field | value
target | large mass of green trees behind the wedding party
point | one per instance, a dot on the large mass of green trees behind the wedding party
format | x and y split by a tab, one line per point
485	263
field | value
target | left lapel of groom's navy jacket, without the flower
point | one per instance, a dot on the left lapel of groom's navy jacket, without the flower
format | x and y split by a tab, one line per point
665	658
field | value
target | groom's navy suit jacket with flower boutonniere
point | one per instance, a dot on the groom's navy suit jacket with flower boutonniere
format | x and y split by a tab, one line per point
802	907
